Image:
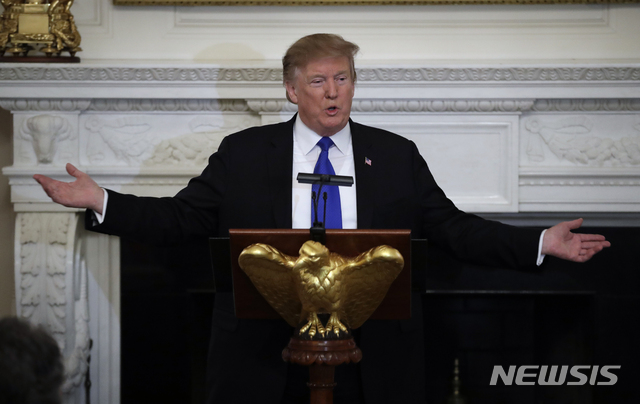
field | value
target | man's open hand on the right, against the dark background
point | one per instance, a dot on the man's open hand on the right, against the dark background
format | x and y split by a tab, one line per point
560	242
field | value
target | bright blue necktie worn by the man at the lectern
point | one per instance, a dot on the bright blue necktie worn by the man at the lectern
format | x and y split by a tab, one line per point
323	166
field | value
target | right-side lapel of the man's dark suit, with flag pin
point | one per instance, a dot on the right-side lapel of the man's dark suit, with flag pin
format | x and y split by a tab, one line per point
365	178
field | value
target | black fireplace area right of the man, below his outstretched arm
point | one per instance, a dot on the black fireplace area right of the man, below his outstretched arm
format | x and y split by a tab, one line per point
559	314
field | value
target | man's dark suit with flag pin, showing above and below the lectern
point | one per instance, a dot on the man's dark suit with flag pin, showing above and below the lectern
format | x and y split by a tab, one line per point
247	184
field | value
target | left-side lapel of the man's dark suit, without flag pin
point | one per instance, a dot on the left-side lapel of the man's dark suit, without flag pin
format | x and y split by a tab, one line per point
280	166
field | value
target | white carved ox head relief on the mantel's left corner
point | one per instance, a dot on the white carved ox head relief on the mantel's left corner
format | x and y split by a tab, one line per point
45	132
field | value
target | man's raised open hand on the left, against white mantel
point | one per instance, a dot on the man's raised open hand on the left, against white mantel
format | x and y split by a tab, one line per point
84	192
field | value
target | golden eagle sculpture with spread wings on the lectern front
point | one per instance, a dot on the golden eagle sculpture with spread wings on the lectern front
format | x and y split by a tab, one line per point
320	281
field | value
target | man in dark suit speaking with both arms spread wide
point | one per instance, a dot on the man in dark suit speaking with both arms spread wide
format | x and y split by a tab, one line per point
249	183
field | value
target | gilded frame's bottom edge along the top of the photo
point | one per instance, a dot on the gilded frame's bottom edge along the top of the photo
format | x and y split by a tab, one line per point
349	2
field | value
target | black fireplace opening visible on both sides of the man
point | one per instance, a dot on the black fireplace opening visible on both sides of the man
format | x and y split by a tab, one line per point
559	314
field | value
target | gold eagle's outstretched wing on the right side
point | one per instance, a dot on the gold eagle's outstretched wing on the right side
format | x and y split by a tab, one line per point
367	279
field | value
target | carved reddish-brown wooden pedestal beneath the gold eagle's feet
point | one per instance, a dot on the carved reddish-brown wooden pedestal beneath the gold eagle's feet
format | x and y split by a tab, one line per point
322	357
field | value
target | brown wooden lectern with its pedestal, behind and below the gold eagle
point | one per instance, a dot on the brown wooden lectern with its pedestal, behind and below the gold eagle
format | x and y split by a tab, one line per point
321	356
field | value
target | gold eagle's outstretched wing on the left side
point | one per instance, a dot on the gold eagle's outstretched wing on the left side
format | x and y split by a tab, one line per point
271	273
